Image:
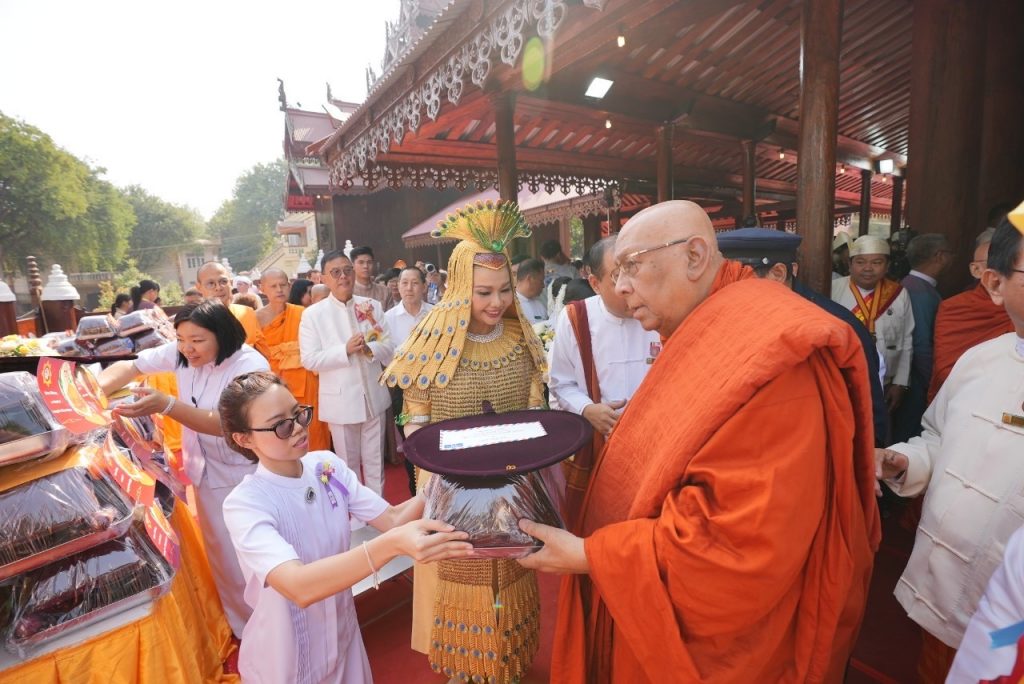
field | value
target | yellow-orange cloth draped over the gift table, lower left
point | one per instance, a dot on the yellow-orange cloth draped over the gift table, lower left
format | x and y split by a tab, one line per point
185	639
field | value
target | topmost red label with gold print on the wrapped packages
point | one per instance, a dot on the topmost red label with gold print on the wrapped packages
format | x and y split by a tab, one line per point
72	395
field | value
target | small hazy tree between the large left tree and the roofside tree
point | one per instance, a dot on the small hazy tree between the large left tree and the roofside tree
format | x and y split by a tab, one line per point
160	228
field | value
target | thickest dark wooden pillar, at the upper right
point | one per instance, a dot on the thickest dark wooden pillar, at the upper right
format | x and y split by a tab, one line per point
948	98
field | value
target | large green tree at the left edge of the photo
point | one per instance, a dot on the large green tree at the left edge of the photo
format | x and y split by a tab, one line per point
55	206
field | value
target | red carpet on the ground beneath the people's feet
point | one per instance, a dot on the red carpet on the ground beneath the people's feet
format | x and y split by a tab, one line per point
886	653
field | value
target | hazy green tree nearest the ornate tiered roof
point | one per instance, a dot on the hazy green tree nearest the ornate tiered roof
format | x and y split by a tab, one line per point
245	224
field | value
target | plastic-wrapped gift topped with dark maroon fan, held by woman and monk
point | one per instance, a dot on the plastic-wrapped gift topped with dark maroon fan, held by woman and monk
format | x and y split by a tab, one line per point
490	472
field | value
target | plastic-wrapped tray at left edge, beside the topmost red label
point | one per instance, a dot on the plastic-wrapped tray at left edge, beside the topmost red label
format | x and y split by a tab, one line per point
28	430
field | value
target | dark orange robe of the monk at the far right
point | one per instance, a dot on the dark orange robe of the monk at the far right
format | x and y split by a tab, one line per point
964	321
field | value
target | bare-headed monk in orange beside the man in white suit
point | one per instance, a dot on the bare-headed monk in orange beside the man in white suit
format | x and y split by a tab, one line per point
279	341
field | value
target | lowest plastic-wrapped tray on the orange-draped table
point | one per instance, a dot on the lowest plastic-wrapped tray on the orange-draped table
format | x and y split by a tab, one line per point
84	588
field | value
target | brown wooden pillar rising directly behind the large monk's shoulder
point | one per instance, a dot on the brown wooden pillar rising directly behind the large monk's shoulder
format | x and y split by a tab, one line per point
820	46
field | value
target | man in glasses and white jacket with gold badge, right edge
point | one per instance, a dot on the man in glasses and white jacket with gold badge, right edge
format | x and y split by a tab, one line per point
968	462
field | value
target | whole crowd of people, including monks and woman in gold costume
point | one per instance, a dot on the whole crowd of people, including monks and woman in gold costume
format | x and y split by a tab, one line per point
717	386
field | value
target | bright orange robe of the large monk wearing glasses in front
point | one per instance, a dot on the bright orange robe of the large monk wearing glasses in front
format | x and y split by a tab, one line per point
731	525
